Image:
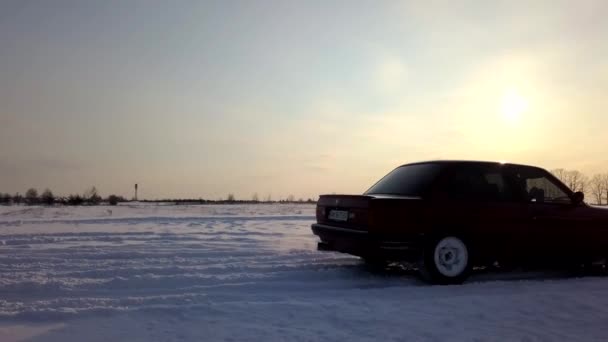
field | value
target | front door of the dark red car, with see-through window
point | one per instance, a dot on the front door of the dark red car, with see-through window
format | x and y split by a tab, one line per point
558	229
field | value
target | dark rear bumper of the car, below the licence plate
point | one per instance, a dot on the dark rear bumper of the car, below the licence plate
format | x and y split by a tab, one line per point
365	244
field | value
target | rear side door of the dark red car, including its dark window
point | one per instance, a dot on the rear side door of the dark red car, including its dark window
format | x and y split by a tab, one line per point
482	200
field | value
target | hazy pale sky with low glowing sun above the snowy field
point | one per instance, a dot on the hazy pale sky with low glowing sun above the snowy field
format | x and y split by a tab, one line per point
205	98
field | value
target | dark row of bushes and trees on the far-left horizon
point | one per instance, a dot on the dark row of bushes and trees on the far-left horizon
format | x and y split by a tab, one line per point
32	197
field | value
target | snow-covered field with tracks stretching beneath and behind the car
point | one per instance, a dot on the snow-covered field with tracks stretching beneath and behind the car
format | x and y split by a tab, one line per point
251	273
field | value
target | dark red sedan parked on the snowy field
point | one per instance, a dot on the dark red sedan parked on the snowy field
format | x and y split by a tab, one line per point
449	216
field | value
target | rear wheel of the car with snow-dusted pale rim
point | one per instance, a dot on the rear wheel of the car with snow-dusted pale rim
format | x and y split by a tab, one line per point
446	260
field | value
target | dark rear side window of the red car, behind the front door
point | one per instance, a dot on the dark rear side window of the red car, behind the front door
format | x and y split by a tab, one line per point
473	183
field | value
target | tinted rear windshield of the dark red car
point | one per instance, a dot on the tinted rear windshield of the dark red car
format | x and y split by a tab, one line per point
408	180
